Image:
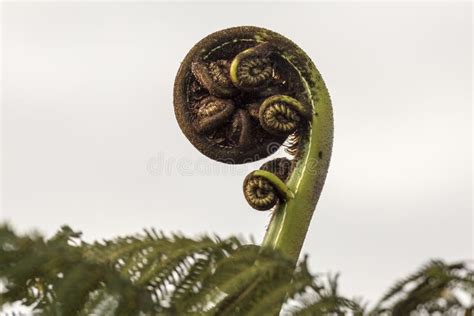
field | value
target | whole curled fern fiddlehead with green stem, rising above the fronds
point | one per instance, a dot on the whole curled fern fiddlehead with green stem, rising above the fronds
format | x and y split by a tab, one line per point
239	94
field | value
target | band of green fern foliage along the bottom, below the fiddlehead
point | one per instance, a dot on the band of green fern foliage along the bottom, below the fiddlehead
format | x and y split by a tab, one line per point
157	274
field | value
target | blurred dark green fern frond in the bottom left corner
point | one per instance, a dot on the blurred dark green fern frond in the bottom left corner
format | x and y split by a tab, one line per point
55	277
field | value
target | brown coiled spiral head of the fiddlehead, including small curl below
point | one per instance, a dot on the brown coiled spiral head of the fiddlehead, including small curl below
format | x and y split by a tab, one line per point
237	98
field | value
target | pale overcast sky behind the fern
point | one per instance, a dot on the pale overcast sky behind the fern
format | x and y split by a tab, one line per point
89	136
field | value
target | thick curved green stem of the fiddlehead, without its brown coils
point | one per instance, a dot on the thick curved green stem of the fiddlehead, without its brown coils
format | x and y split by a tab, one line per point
289	225
